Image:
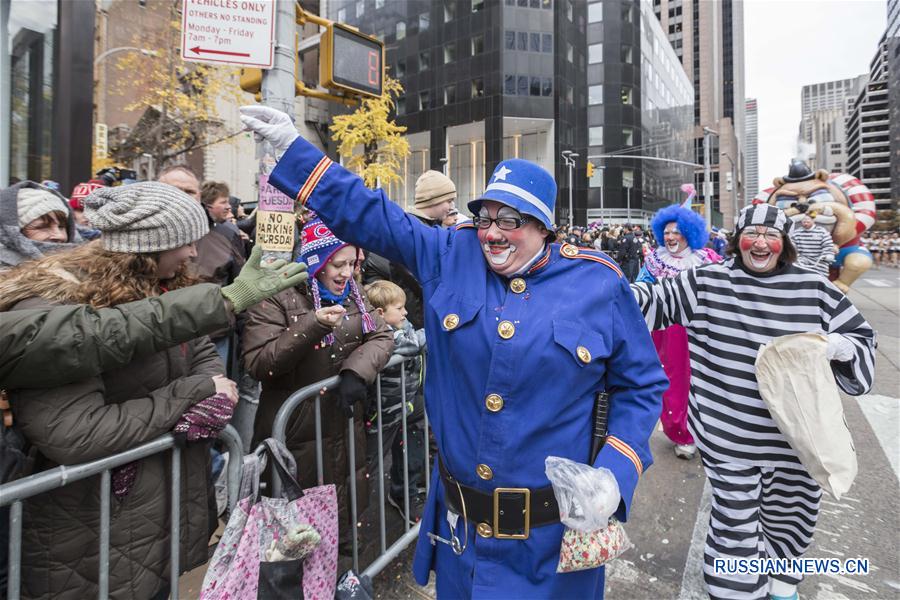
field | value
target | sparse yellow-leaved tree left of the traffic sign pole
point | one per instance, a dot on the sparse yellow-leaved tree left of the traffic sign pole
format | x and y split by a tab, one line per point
178	99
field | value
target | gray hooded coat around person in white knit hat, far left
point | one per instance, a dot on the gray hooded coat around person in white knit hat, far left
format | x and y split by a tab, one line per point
15	247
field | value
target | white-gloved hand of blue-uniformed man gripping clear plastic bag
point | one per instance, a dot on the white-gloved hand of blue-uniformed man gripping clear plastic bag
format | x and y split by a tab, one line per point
587	497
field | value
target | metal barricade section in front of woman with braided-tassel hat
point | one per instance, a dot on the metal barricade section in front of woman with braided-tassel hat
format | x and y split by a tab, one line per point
311	393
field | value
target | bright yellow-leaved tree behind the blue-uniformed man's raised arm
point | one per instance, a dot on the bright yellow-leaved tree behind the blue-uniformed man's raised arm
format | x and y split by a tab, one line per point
382	141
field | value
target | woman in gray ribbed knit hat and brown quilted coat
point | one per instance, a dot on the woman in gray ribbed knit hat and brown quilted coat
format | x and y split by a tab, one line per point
148	234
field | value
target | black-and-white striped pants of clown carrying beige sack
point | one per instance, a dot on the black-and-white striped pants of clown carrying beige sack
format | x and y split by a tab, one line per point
757	512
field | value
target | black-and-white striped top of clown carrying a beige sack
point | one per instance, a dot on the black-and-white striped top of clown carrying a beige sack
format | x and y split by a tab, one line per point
729	313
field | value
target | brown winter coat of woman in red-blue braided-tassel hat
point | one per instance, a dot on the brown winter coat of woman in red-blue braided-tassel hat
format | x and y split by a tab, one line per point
282	343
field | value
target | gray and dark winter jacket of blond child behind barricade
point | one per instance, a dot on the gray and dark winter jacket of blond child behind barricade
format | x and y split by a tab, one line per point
407	342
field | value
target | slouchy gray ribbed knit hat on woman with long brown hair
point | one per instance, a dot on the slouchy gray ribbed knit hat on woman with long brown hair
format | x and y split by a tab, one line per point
145	217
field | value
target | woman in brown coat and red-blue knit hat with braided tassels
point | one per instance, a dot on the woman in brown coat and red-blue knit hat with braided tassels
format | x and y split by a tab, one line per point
306	334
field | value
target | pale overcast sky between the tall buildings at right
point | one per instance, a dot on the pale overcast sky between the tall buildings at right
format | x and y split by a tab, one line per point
792	43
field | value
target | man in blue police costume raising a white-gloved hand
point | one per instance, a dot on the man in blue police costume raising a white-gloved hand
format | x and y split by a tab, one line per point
522	335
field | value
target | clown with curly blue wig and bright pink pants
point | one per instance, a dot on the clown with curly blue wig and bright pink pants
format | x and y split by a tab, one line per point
682	235
